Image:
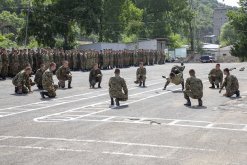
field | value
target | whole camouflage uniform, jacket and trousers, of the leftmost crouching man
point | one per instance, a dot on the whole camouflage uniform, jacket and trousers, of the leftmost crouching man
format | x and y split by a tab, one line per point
21	82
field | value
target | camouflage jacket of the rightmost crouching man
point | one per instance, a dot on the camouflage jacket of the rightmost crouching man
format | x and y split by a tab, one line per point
231	83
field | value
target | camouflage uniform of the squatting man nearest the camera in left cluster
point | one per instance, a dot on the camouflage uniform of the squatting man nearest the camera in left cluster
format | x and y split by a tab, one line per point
48	83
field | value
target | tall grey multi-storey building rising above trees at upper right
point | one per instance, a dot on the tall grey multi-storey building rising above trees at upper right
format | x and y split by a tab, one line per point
219	19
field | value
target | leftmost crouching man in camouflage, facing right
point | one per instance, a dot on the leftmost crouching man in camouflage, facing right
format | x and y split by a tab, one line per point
22	81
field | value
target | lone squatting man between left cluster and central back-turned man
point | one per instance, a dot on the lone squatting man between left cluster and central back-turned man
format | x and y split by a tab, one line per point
95	76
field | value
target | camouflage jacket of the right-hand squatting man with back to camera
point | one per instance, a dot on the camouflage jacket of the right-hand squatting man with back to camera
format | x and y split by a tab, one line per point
194	85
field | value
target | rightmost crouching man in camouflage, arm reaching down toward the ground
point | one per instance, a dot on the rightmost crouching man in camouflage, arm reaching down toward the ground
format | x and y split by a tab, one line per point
231	84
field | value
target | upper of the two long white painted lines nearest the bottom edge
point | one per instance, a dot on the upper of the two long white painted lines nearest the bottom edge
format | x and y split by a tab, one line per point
111	142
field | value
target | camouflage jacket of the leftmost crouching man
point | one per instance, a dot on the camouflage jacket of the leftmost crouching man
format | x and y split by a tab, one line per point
21	79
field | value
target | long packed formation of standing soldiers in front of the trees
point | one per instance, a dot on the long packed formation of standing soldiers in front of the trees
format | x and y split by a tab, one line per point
13	61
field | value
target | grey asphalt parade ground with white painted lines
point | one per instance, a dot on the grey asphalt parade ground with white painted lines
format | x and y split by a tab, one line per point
152	128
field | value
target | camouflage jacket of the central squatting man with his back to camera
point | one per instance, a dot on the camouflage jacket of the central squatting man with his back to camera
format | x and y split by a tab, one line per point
116	86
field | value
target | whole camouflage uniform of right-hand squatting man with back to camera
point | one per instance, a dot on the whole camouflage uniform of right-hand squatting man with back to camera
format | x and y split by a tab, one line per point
194	88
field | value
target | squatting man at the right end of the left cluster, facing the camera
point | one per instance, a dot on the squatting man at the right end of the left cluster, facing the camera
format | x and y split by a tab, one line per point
63	74
